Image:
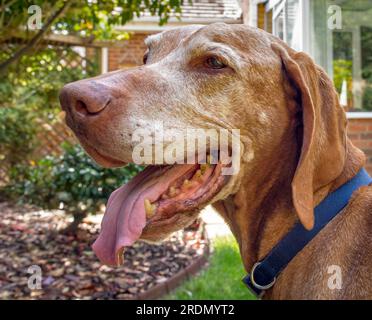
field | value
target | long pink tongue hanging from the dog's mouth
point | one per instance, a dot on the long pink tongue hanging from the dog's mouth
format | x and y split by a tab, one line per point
125	215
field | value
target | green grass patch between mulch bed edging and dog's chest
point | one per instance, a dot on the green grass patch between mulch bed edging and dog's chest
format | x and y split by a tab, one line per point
220	280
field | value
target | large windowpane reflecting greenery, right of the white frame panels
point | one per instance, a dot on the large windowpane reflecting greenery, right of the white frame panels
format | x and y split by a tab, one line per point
345	52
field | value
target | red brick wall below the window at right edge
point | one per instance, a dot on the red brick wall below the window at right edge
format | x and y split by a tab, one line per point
360	133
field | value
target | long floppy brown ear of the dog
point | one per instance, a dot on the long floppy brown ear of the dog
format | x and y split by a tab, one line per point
323	149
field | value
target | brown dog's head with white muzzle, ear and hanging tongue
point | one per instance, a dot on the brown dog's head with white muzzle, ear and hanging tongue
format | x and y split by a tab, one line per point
210	77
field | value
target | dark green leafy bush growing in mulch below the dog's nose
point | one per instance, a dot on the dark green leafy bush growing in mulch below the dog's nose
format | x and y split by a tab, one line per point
72	181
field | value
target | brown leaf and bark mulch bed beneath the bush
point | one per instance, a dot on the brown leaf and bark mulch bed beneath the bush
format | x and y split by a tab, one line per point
70	270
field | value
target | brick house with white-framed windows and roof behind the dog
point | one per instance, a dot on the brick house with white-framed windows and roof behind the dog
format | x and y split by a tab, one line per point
336	33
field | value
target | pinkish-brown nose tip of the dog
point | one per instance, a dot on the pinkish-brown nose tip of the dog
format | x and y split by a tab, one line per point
85	99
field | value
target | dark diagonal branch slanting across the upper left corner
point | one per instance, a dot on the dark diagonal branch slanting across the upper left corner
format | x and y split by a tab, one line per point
35	39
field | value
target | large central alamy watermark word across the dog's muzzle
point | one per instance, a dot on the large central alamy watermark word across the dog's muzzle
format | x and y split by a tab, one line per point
157	145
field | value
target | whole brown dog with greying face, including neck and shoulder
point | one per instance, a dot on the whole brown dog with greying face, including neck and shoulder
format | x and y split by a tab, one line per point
294	152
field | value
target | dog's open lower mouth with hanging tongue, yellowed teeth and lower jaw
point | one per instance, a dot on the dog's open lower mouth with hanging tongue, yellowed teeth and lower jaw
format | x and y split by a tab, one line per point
156	193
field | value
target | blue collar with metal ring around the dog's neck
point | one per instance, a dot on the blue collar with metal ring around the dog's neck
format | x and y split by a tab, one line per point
264	272
